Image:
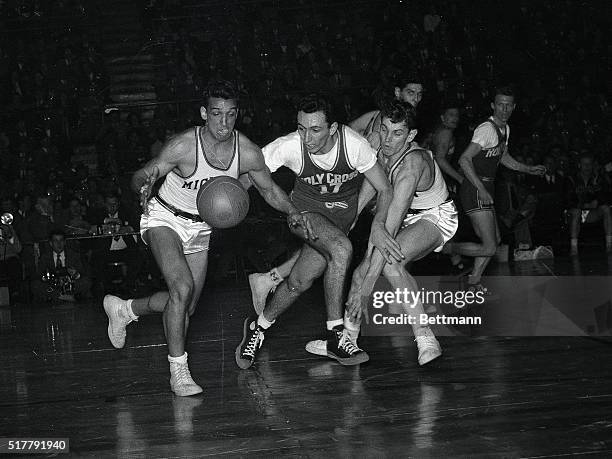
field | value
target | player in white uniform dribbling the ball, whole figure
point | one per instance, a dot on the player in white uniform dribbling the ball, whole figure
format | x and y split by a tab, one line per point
176	234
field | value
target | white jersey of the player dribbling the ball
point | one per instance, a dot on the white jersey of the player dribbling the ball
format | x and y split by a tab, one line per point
181	192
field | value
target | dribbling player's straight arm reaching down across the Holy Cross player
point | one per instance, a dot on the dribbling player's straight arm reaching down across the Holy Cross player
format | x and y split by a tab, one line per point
253	163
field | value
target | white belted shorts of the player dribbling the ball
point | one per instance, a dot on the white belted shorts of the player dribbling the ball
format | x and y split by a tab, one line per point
195	236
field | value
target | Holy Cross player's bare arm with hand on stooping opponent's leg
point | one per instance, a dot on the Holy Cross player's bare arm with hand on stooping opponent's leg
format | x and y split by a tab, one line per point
379	237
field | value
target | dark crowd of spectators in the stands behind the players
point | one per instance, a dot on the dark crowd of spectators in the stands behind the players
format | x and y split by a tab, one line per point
54	92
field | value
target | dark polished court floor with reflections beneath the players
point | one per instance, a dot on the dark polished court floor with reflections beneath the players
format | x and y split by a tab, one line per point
487	396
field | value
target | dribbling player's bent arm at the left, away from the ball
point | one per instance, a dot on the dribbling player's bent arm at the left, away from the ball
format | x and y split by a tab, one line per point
170	156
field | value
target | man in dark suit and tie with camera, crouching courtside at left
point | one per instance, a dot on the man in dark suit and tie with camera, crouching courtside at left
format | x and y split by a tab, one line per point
61	274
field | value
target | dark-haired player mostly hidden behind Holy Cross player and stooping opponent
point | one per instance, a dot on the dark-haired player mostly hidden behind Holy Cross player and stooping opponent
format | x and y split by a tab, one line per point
406	88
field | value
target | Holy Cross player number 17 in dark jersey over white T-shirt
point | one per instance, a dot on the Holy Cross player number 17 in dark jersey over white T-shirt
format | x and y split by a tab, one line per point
330	161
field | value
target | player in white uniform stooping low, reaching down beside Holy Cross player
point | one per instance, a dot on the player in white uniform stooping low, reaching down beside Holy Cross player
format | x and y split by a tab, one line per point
422	217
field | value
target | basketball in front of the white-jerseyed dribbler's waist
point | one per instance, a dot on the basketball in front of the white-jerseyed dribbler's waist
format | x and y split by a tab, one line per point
222	202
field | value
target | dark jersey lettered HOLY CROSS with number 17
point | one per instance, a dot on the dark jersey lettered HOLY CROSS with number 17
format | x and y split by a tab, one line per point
338	184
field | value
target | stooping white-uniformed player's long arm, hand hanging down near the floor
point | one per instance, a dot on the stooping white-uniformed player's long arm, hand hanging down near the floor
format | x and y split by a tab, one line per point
369	269
